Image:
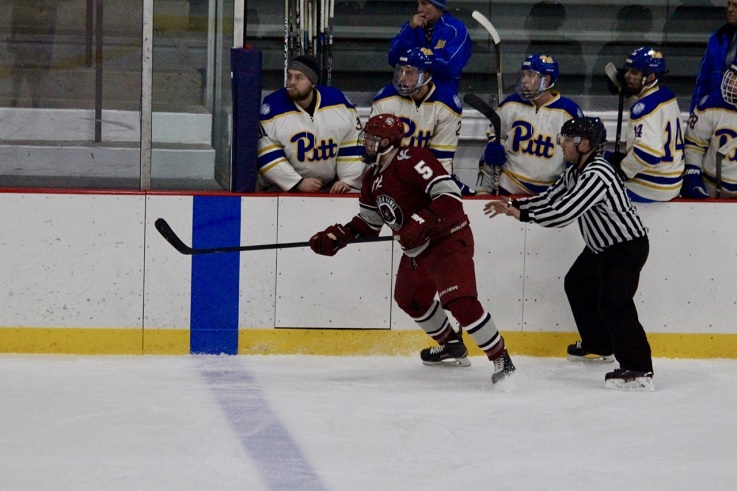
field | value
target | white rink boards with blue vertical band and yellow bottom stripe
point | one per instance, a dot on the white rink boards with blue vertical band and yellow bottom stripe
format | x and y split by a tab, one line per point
89	273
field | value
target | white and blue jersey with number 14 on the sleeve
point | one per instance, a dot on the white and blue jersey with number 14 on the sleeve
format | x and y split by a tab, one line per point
654	161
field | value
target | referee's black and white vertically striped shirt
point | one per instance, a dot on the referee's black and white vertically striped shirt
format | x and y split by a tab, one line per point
595	196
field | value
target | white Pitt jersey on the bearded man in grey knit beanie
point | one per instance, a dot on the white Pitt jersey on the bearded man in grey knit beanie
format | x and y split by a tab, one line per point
293	144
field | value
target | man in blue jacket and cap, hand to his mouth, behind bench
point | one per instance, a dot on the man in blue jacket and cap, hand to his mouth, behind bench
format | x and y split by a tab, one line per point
433	27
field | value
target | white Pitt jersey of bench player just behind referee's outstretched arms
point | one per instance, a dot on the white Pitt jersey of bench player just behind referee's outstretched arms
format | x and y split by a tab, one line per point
534	160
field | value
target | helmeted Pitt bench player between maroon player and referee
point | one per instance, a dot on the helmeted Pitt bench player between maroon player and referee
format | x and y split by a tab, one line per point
528	157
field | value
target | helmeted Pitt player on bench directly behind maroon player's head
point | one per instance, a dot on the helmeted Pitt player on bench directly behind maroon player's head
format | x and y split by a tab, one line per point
431	114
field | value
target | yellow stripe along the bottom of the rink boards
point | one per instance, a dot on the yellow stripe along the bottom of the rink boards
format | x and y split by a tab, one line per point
328	342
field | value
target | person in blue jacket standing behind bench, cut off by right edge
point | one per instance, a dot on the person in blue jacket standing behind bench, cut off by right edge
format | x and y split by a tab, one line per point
720	53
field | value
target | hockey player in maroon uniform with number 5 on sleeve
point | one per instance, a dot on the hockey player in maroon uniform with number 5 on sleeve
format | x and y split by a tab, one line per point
410	191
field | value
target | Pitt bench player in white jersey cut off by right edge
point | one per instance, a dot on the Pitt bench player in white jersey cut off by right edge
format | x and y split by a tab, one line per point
712	125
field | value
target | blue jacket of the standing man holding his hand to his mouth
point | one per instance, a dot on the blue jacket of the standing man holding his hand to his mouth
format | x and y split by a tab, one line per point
450	44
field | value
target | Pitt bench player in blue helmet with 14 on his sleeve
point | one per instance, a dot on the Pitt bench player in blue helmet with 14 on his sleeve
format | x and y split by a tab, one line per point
653	162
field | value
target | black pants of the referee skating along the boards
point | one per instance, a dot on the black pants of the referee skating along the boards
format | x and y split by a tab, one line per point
601	289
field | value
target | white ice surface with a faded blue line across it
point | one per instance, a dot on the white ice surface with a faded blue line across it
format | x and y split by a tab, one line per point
359	423
